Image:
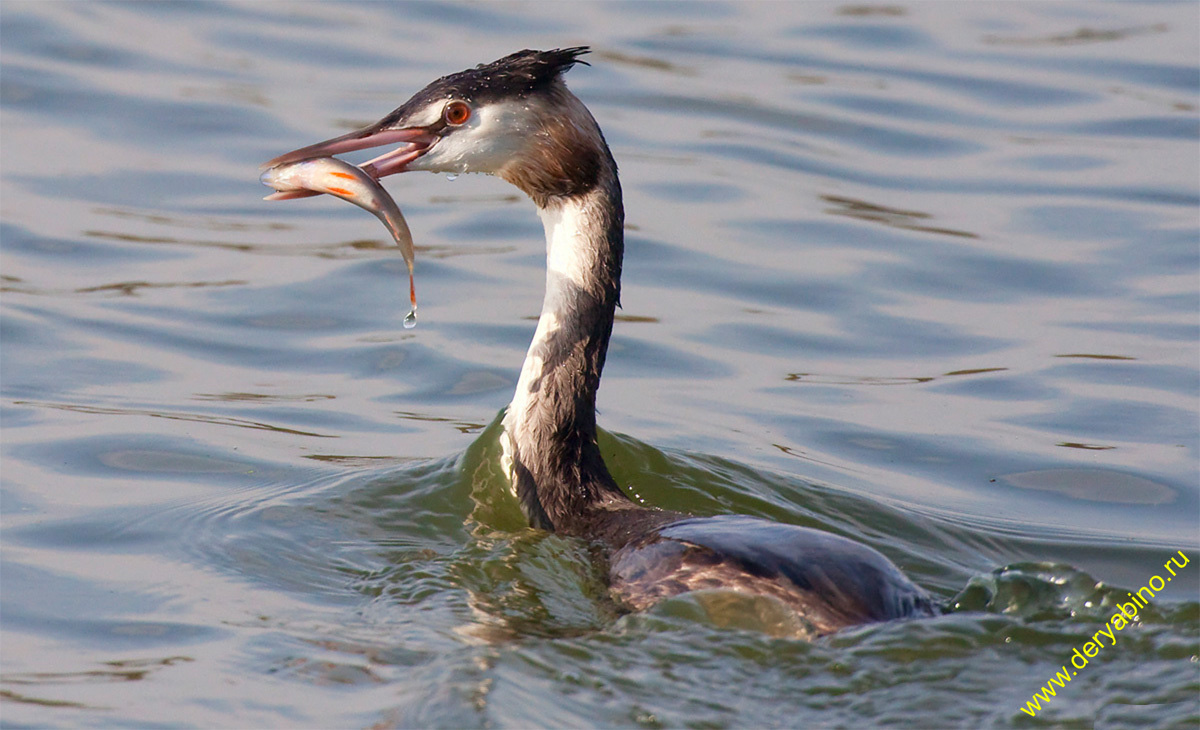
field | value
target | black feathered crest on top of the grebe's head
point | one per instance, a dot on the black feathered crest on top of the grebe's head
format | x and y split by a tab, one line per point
515	76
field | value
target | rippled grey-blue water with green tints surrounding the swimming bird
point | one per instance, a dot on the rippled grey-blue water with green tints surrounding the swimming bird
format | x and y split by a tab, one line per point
925	276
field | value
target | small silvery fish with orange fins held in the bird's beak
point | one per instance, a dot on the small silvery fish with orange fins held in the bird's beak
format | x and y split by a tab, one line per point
341	179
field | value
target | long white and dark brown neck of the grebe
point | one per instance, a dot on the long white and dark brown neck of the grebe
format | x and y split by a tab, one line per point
550	428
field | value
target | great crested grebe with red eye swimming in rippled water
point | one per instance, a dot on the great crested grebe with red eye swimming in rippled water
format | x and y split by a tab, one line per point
517	119
